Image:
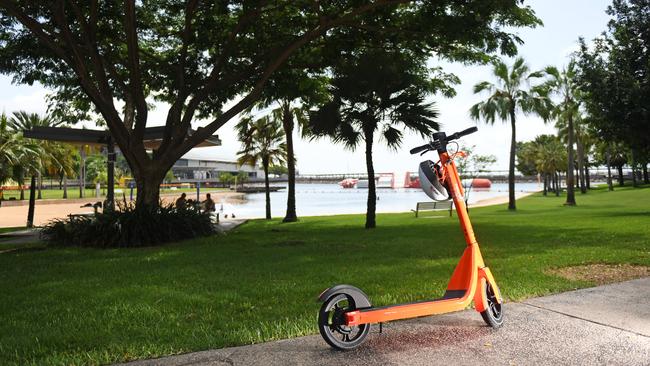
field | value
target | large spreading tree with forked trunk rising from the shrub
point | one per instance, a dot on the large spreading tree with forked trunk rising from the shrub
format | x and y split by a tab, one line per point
211	60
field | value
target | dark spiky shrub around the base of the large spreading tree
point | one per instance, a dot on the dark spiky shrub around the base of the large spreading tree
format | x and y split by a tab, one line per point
129	226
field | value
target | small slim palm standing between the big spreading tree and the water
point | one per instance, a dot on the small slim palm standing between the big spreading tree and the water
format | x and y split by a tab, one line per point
262	141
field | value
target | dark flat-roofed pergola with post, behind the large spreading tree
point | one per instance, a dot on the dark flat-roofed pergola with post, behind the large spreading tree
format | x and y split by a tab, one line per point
153	137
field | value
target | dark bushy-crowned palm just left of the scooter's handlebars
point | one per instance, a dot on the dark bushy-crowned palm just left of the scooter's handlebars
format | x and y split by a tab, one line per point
377	92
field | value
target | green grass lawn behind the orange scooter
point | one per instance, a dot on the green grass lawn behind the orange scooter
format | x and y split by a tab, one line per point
260	282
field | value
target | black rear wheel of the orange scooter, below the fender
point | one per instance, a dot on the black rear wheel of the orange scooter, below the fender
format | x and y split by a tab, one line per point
331	327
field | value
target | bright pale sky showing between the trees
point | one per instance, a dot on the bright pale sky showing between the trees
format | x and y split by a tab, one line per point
551	44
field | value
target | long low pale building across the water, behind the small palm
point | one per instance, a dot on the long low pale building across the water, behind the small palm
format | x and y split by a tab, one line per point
188	168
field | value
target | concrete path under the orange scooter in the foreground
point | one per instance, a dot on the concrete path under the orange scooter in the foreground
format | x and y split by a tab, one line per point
606	325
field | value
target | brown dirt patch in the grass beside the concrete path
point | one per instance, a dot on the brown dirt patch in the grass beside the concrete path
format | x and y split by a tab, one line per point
601	274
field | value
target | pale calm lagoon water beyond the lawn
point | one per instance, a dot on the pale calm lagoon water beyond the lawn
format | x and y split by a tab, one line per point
331	199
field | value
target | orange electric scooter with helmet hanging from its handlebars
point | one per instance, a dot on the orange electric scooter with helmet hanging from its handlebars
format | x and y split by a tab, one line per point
346	314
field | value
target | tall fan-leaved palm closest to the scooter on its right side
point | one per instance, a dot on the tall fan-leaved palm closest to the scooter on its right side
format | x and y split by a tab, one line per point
506	99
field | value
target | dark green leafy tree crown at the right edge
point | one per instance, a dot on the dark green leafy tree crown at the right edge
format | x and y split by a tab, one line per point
614	75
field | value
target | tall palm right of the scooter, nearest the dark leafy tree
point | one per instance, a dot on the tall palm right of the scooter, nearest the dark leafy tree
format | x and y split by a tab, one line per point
564	85
